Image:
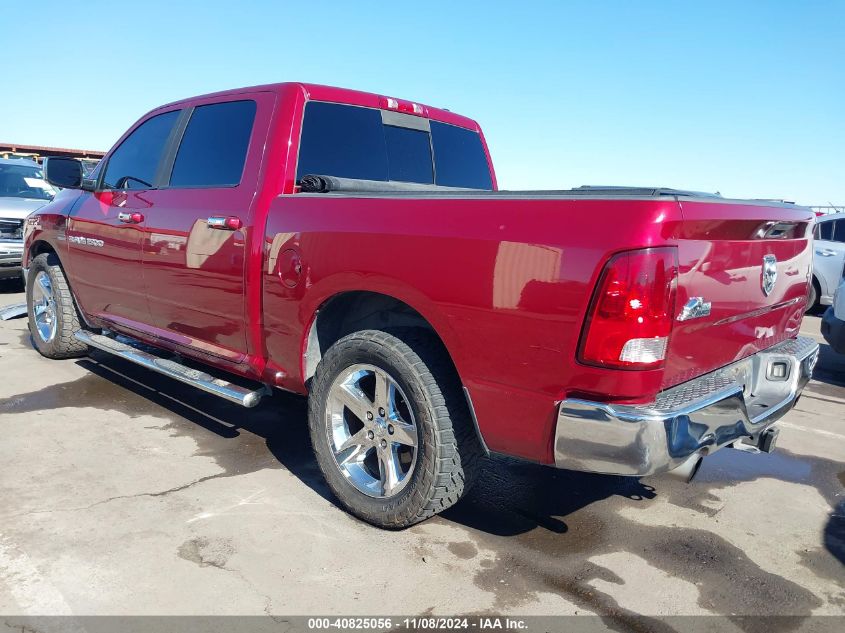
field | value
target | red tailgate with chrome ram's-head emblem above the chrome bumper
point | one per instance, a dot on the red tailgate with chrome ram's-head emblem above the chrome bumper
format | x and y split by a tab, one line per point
723	249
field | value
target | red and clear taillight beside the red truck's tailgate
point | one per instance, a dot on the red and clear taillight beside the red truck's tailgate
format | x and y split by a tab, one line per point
632	312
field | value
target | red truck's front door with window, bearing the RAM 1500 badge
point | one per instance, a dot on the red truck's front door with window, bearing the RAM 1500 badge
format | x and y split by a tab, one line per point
104	231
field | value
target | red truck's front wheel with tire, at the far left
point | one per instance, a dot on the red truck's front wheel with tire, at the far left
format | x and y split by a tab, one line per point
53	318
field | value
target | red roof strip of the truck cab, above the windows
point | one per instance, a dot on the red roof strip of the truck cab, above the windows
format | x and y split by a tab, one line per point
317	92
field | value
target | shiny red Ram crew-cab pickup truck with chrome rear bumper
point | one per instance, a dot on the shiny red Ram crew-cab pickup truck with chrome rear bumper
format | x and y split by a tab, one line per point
354	247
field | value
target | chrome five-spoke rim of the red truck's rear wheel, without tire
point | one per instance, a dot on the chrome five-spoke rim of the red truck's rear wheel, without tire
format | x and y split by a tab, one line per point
371	431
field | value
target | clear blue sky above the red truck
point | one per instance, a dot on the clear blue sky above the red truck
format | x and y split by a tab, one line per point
745	98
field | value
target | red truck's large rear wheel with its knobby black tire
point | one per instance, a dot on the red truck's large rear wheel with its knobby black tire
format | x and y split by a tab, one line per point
390	427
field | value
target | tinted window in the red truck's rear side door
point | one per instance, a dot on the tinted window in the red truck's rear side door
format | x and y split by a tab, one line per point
213	148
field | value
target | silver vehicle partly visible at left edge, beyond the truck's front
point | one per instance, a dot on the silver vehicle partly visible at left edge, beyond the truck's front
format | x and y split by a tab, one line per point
22	190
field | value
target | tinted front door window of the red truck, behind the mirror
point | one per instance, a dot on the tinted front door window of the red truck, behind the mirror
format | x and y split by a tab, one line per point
134	163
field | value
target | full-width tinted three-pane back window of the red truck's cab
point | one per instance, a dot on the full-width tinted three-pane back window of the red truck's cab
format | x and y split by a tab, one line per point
354	142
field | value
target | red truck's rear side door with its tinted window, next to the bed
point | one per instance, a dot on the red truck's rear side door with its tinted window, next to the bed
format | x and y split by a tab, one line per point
196	233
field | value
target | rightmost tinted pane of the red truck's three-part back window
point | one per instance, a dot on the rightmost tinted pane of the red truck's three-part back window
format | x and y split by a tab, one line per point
459	157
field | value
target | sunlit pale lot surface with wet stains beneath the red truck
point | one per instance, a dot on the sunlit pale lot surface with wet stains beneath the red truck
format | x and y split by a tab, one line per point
125	493
